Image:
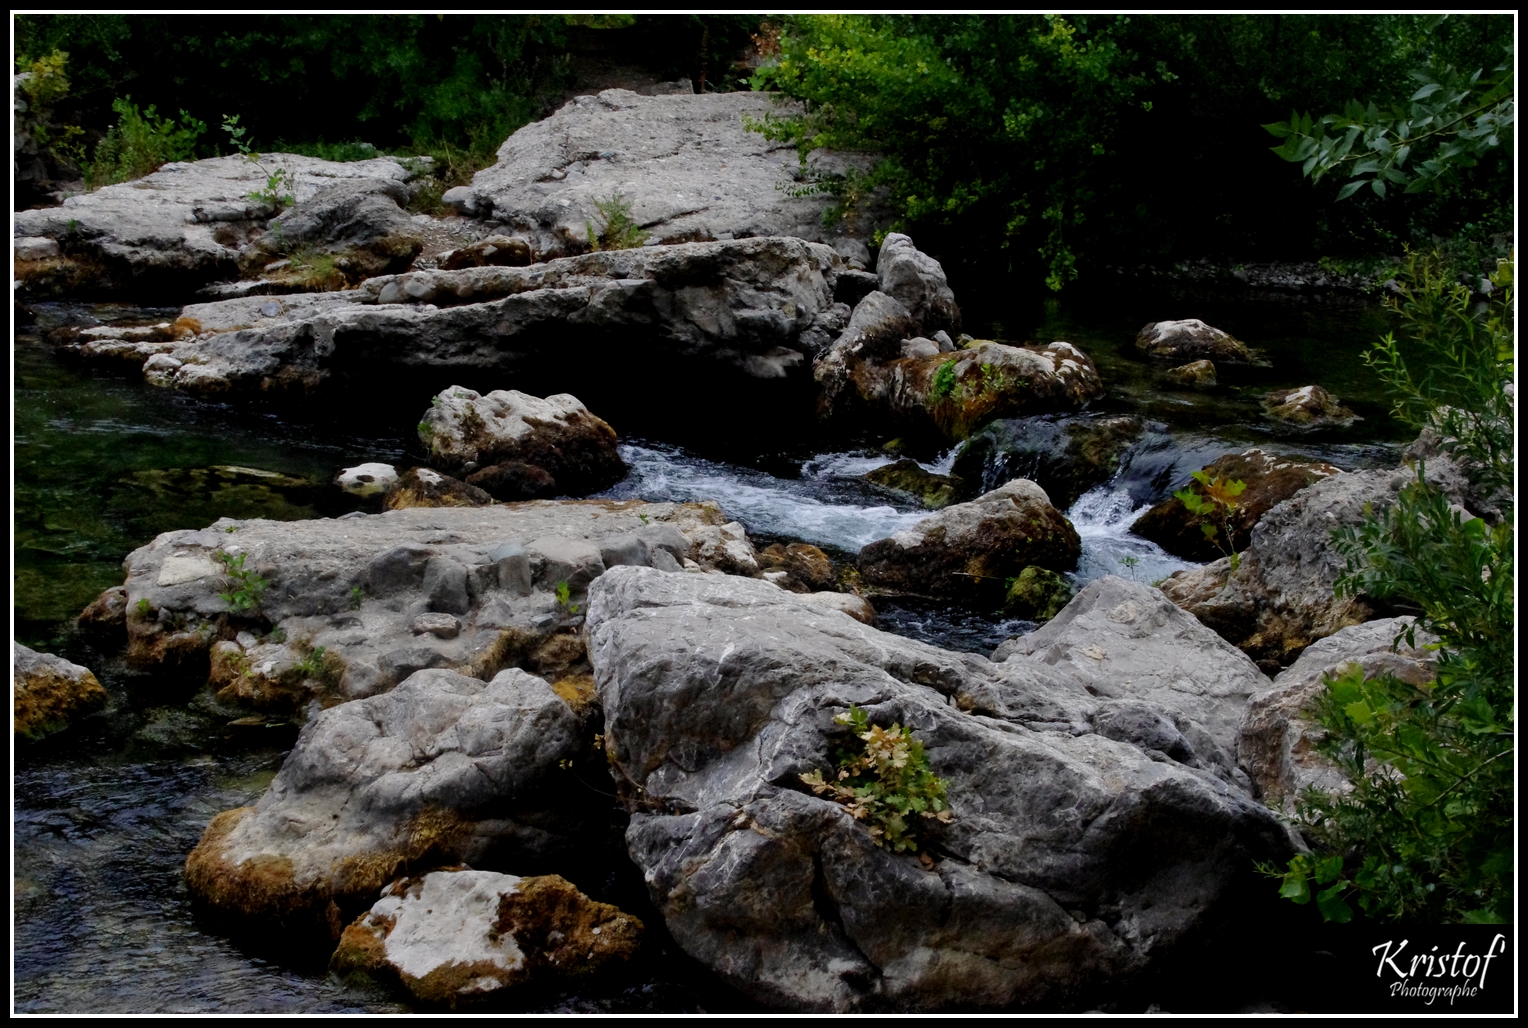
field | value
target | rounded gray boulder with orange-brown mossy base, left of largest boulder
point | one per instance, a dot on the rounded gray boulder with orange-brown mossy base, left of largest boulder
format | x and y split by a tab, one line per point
442	771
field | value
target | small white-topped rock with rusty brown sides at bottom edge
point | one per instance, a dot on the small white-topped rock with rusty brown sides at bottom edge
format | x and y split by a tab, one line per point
462	937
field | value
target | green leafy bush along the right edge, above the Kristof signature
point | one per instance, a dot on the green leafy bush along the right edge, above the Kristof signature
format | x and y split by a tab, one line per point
1426	833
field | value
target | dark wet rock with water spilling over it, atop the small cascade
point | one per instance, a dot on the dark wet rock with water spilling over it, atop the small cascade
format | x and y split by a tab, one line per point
1066	456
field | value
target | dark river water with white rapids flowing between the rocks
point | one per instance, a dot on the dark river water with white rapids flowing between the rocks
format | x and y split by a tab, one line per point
106	813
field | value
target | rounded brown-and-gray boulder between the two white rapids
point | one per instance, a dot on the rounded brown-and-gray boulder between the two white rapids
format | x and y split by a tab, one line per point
970	551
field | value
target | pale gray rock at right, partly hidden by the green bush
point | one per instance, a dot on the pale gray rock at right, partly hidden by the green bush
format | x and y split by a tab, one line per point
1278	737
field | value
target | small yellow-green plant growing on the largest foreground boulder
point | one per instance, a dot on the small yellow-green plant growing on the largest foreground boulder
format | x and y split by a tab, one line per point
887	783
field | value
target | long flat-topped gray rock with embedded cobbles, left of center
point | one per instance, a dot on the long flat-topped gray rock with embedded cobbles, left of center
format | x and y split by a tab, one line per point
357	587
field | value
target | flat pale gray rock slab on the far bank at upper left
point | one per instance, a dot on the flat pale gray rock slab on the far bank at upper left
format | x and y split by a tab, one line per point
180	228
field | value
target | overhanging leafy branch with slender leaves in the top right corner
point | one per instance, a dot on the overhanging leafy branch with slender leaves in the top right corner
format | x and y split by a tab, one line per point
1449	124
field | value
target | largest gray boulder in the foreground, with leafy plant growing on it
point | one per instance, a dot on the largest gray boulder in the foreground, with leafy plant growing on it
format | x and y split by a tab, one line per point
1073	864
